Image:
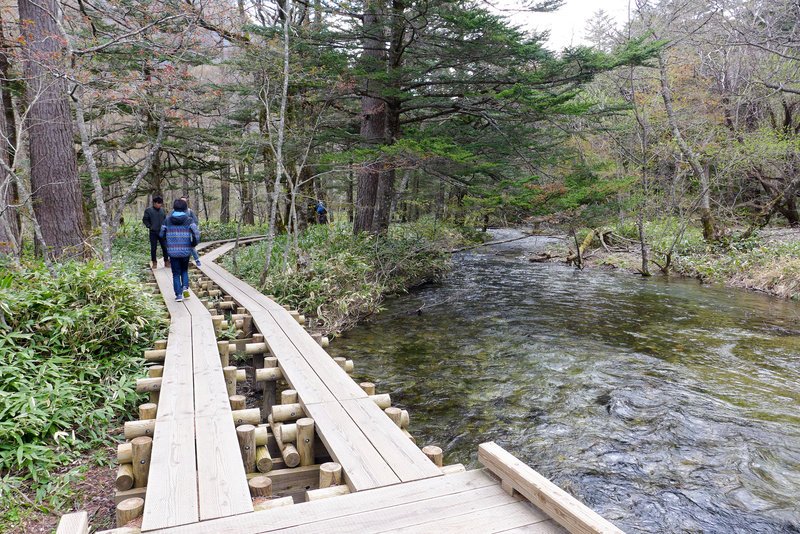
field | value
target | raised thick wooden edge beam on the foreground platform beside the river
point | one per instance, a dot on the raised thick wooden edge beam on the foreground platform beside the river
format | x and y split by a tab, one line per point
575	516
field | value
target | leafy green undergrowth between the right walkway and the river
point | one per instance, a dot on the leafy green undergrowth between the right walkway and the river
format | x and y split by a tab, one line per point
339	277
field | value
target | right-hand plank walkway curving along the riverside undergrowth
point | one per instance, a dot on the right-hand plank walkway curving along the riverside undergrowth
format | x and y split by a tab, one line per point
372	450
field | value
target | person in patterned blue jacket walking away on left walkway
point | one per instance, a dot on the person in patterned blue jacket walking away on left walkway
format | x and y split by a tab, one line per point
182	235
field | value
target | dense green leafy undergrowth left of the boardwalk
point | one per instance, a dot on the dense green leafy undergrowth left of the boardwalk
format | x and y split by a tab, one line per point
70	349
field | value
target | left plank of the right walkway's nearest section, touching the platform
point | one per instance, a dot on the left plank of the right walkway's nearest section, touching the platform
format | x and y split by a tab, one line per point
362	464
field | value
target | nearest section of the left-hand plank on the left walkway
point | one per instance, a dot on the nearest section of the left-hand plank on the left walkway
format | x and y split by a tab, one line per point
172	486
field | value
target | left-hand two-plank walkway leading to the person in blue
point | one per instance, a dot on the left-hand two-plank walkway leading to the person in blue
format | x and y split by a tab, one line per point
197	471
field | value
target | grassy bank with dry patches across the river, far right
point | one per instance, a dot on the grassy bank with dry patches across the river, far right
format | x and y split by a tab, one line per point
768	261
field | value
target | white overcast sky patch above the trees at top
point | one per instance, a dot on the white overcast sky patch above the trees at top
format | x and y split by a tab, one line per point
567	25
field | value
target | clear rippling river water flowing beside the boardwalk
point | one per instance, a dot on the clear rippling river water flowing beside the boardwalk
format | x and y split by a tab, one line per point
665	405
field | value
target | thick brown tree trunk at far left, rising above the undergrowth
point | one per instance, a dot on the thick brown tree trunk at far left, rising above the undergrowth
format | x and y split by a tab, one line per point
54	167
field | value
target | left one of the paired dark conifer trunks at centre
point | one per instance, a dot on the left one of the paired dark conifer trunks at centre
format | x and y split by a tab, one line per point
373	115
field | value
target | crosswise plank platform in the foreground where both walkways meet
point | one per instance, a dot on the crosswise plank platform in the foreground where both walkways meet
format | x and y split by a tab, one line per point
472	501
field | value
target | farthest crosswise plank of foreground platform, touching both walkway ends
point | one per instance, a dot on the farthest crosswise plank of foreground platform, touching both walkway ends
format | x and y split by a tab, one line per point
374	501
